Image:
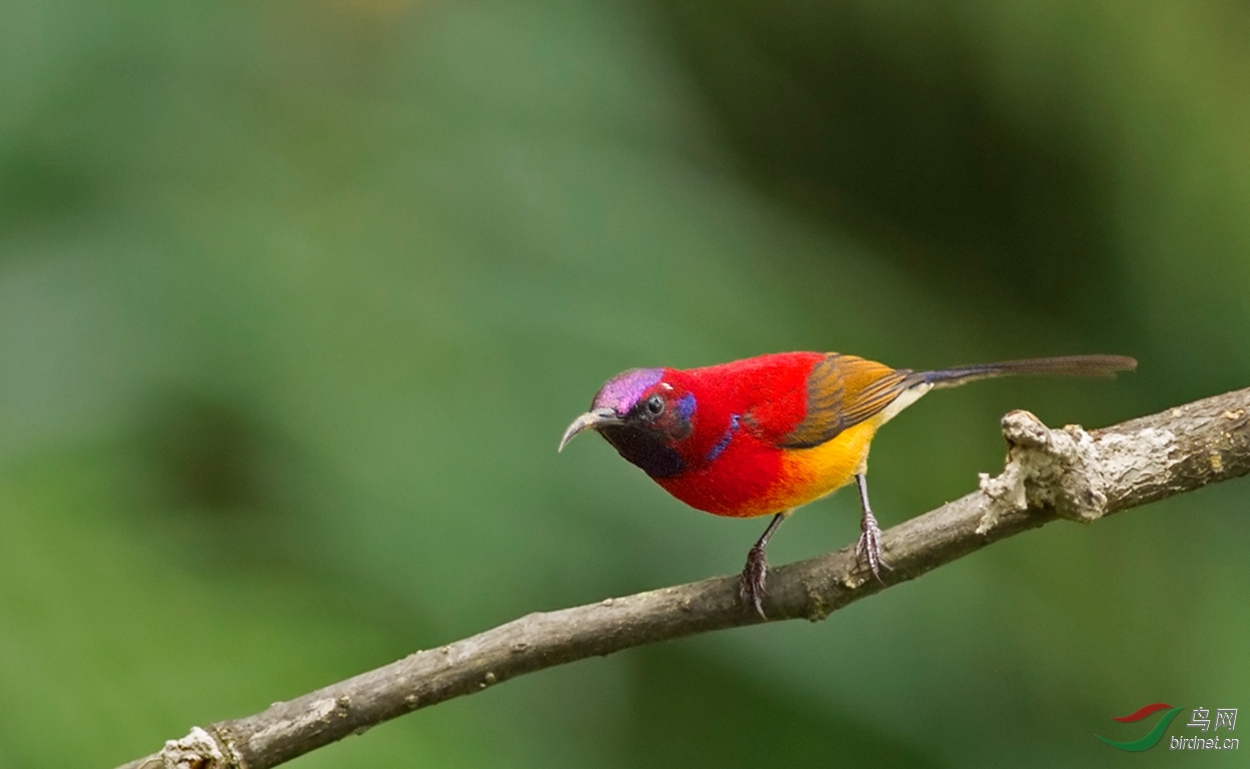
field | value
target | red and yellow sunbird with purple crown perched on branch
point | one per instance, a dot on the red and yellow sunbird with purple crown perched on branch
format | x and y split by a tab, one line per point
769	435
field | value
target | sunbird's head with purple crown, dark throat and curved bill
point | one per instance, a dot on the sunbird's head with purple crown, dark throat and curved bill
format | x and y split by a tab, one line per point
644	417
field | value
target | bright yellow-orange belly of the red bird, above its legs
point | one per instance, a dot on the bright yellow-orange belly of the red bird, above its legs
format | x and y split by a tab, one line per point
809	475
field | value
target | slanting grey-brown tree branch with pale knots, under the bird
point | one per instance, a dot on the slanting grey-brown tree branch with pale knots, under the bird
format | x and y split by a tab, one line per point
1049	475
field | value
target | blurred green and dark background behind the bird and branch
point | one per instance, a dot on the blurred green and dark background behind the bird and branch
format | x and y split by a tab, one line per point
297	298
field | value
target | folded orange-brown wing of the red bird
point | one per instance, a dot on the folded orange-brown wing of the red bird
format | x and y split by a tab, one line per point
844	391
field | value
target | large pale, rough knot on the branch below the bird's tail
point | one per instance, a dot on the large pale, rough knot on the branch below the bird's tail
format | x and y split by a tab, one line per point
1059	471
